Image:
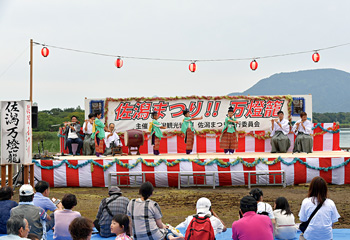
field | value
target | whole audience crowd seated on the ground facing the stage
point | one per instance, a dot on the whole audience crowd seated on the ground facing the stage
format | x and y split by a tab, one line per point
141	218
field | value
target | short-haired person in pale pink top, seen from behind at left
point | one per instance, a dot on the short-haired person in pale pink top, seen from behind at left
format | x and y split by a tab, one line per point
64	217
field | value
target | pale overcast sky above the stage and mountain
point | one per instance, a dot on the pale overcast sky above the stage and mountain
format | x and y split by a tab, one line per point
182	29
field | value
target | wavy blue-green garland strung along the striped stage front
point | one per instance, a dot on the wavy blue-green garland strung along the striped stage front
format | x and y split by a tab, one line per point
211	162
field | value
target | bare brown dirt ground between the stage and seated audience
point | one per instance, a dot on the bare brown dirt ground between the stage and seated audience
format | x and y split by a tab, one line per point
176	204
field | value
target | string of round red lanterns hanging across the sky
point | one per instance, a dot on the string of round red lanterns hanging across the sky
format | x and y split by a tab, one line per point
193	67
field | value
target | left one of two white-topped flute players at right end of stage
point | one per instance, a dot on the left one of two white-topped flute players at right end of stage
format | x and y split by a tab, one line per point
280	142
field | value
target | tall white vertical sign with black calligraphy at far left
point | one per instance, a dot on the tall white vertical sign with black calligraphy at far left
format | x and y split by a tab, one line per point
16	132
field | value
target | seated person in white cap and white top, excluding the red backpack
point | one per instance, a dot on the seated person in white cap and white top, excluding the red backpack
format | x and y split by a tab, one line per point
204	209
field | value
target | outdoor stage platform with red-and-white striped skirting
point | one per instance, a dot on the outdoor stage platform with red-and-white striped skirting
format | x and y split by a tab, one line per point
90	171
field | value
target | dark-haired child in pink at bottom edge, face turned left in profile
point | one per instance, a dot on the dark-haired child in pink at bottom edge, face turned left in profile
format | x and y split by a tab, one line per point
120	226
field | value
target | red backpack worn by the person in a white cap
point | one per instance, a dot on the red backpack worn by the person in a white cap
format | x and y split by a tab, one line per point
200	228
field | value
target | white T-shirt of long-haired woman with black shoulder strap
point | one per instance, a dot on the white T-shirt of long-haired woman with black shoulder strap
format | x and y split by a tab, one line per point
320	226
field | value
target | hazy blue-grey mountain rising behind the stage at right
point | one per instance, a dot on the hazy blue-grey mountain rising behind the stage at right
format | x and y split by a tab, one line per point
329	88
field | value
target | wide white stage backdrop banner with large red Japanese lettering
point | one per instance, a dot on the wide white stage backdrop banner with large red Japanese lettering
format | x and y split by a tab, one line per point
254	113
